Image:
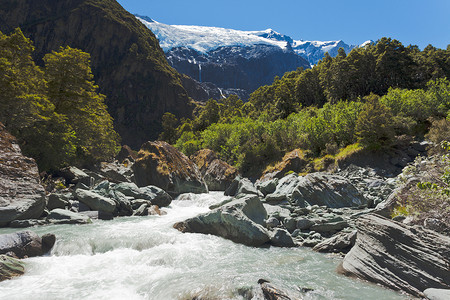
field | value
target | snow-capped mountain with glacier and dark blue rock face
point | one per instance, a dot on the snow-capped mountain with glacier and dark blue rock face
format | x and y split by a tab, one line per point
235	59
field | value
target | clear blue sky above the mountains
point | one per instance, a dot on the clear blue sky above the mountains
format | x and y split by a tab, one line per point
417	22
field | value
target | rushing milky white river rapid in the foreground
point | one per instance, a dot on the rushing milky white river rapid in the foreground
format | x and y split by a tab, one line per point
145	258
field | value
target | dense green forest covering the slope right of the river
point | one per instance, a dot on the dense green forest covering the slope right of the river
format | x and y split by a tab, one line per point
367	97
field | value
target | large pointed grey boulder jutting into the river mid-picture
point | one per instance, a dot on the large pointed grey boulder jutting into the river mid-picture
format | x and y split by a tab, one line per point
241	220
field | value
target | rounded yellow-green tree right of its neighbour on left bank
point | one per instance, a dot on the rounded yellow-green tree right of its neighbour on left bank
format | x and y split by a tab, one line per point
73	92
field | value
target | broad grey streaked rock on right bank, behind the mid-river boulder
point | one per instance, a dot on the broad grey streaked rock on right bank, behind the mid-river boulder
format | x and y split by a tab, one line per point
326	189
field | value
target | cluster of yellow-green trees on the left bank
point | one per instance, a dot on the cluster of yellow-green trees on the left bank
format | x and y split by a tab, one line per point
54	111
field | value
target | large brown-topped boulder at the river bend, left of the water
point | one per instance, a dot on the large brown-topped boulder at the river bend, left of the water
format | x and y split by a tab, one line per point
162	165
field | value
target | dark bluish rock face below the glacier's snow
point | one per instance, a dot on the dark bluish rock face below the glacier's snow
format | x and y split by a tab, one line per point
246	68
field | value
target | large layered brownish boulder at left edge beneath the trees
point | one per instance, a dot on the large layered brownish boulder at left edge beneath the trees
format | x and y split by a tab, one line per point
21	194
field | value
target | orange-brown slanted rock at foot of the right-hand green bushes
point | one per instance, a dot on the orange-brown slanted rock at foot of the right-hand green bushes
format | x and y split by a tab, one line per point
293	161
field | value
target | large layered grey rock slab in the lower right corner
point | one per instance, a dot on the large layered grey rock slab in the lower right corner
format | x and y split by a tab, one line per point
398	256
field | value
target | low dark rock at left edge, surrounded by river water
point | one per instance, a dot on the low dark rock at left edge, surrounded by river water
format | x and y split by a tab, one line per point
23	244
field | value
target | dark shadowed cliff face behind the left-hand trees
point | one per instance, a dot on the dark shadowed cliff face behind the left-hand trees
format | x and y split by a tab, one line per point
127	62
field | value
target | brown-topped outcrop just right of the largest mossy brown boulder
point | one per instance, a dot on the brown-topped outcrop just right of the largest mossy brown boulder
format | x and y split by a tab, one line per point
217	174
